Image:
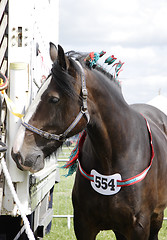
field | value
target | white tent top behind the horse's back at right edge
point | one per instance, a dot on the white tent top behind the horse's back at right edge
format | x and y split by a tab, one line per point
159	102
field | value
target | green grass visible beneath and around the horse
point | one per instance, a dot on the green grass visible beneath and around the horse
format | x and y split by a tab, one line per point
62	205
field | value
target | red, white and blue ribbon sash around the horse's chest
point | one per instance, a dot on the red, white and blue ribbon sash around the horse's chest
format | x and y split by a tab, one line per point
120	183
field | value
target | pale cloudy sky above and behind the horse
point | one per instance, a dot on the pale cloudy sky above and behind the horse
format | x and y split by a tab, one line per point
135	31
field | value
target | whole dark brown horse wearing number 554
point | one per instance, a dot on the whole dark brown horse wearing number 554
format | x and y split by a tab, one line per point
120	182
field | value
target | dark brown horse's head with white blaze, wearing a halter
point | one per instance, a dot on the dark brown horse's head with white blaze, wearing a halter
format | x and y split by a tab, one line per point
55	114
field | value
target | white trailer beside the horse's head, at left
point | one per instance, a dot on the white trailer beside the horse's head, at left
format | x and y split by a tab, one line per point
26	27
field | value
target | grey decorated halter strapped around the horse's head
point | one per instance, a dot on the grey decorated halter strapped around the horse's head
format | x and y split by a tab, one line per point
83	112
